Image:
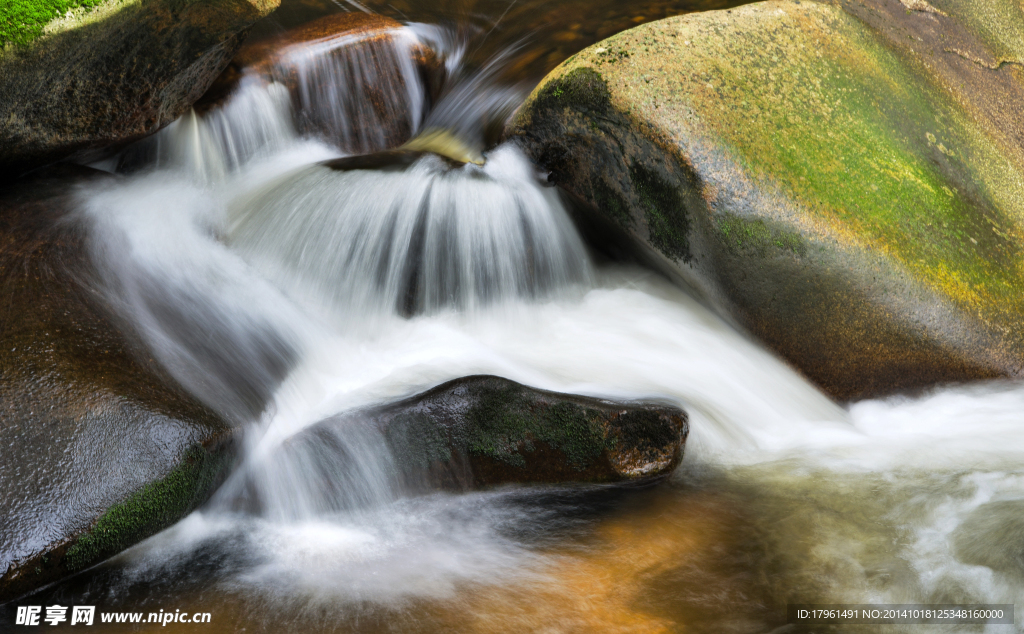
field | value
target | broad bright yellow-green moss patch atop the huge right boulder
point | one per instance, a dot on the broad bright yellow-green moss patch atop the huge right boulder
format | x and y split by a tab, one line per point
824	111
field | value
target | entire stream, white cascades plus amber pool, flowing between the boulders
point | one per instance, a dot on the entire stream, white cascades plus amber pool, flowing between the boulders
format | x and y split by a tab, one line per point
258	271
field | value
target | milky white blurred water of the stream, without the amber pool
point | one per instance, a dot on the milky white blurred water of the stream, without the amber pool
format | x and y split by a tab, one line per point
614	333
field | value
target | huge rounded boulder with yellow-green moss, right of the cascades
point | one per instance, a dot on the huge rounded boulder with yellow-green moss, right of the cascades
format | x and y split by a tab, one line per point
845	180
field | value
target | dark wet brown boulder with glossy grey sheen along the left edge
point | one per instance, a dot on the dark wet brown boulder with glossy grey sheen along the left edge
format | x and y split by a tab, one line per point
101	448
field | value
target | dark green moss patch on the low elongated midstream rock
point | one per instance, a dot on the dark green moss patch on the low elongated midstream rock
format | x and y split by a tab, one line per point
506	422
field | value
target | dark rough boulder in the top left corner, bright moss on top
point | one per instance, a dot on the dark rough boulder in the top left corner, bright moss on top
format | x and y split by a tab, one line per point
113	75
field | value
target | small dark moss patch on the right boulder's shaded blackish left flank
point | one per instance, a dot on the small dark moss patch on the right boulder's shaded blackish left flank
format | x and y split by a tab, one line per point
665	213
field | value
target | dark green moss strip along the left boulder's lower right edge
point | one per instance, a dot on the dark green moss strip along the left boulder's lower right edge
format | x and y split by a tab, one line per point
150	511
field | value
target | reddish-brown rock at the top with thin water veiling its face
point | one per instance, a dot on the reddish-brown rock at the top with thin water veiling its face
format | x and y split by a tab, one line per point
351	78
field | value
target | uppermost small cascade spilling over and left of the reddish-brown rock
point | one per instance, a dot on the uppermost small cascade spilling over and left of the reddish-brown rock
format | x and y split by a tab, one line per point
359	93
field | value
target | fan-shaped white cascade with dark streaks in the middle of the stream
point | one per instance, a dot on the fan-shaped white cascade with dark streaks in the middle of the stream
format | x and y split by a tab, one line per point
411	239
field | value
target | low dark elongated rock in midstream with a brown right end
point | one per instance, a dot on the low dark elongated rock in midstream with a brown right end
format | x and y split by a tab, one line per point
484	432
